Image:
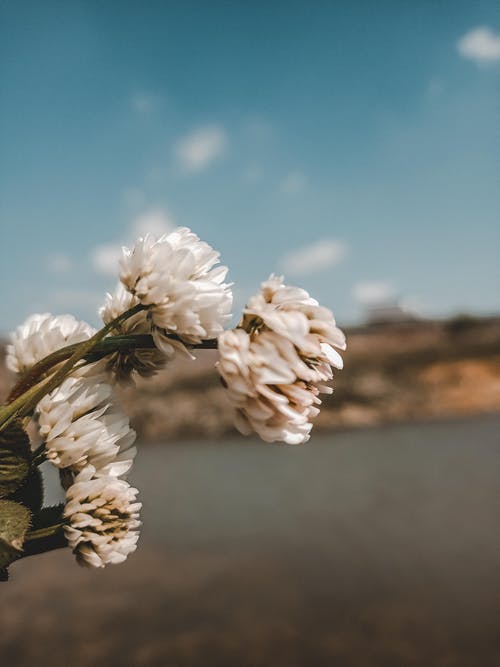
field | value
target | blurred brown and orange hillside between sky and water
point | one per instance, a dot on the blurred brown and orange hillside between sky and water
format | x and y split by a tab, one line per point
397	372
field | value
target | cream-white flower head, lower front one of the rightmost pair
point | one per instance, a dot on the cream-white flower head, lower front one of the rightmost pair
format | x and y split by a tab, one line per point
269	386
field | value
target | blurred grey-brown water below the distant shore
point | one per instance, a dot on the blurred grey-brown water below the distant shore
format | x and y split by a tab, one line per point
376	547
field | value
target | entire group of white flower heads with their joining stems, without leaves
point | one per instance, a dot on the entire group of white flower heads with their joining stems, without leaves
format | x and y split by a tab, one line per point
172	297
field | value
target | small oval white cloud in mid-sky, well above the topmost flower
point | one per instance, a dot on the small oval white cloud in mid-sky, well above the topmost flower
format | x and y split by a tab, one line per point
197	150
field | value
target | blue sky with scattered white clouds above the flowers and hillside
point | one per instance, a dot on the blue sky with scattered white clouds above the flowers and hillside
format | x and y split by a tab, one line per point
352	146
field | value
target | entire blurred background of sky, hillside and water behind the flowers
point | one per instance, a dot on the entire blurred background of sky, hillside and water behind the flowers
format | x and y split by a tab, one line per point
354	148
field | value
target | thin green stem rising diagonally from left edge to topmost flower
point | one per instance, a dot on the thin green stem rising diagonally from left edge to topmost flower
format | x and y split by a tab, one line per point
25	403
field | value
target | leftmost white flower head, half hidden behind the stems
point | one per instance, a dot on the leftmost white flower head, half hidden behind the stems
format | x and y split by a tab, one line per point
41	335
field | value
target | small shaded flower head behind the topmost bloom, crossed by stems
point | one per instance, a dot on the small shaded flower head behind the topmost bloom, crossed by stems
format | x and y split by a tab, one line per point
146	361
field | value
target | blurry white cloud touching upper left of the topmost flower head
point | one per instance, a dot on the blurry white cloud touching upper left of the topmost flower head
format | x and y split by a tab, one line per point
104	257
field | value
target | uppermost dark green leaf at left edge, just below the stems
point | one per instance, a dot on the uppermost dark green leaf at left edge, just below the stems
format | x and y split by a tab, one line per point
15	458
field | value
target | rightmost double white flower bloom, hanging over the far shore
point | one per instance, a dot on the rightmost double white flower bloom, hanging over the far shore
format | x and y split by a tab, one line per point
276	363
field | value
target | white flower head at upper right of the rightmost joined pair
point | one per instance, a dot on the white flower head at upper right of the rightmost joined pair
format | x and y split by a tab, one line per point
292	313
